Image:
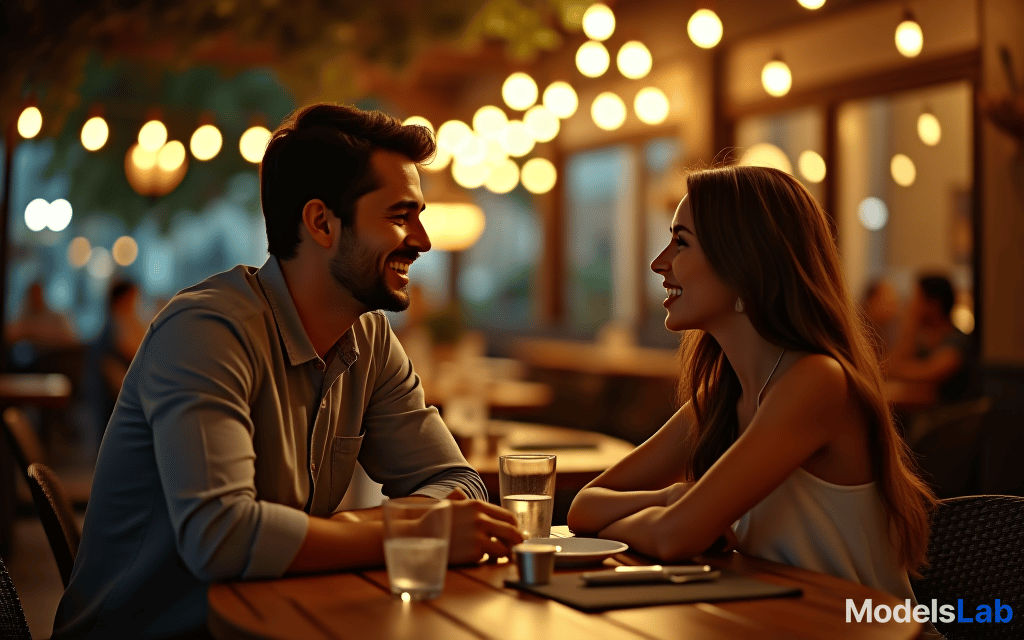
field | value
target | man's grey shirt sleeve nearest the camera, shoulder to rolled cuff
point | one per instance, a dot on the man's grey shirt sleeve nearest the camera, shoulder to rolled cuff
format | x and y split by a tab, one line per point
200	373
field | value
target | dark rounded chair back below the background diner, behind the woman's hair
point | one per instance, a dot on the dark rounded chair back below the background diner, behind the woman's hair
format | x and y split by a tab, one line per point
948	442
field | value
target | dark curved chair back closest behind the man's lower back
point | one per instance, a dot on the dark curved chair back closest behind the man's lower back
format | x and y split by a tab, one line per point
57	516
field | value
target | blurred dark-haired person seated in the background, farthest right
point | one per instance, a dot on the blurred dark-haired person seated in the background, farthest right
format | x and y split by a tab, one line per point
931	351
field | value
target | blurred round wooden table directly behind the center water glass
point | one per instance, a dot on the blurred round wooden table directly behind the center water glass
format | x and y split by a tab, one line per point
582	455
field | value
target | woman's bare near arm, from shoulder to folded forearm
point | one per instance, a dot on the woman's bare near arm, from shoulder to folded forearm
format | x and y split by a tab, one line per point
791	426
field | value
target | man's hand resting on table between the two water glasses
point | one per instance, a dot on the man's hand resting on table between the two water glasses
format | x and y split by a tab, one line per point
480	528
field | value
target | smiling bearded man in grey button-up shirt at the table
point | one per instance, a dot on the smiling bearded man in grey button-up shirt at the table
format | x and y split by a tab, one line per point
257	392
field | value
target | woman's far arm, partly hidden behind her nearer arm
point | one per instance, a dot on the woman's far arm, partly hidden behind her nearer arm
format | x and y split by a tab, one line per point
648	478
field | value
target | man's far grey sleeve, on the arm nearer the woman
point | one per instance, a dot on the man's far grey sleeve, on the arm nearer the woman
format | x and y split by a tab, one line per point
407	448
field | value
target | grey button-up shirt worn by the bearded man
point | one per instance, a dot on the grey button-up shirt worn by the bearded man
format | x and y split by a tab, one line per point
229	432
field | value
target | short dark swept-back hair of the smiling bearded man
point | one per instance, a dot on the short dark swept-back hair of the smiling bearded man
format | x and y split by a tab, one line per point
323	152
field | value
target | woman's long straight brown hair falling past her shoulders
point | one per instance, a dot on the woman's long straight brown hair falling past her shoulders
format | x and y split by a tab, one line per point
771	241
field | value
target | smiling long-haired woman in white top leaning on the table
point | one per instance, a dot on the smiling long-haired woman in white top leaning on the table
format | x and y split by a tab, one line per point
785	437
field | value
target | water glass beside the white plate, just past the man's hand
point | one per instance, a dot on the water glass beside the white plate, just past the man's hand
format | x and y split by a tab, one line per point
527	485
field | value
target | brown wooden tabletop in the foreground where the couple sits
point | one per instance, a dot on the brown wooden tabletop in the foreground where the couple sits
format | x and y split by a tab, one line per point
476	606
